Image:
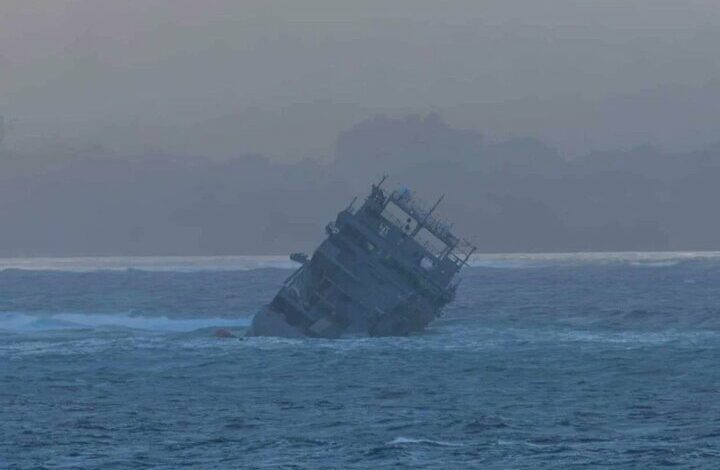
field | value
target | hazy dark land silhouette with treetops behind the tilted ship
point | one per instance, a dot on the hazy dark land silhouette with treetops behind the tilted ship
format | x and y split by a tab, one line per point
517	195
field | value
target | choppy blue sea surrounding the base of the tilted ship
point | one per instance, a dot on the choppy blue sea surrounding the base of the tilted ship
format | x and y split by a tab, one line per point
575	361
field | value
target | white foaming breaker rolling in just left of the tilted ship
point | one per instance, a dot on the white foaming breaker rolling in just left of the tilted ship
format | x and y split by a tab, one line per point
22	322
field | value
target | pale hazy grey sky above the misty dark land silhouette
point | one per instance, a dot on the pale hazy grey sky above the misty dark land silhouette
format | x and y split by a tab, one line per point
283	78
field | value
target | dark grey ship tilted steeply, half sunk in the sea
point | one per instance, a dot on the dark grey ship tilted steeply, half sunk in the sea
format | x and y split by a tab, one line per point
386	268
